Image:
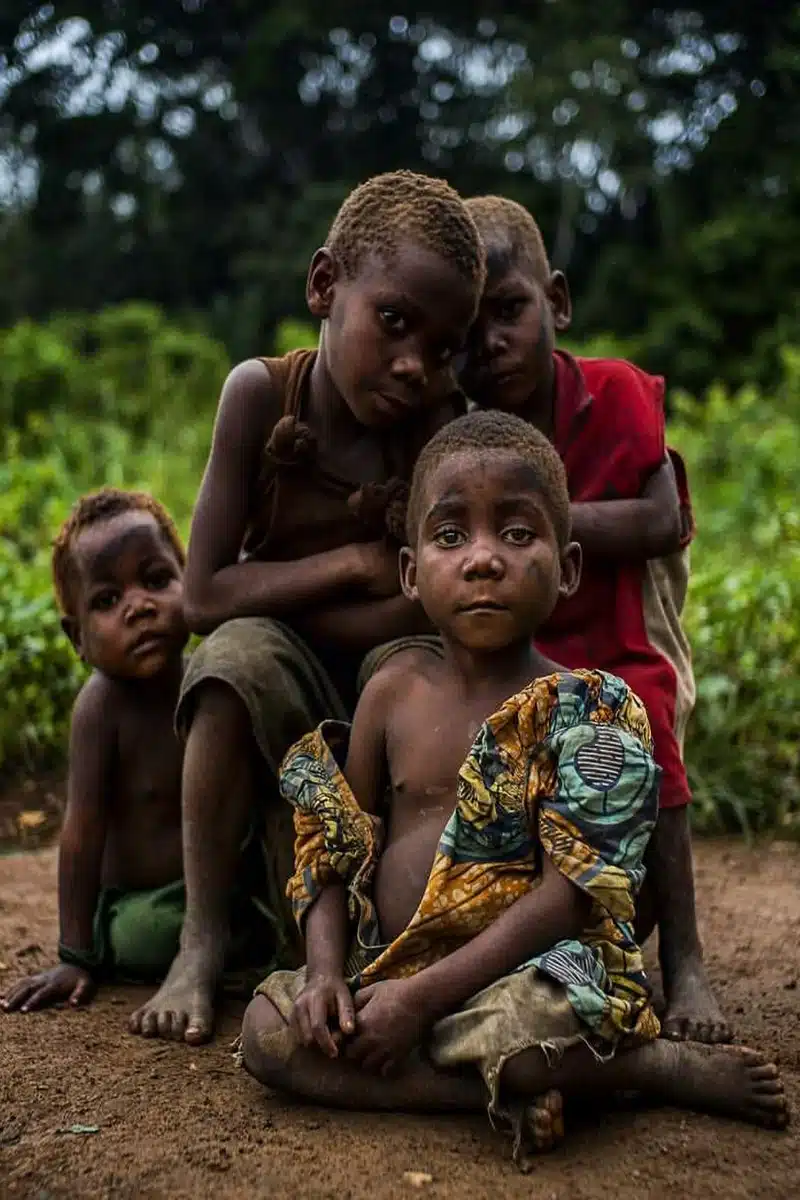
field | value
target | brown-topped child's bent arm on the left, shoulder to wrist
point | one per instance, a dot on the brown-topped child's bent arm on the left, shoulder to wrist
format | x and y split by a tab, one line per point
219	587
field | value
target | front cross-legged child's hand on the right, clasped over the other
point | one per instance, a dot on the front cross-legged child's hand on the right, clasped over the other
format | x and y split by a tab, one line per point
389	1024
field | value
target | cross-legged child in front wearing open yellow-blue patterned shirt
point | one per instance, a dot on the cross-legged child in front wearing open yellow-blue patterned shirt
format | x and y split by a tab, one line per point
485	953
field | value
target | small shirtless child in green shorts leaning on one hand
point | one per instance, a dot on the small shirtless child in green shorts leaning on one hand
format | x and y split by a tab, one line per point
118	568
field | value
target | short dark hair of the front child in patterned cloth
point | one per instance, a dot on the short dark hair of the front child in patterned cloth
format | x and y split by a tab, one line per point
489	433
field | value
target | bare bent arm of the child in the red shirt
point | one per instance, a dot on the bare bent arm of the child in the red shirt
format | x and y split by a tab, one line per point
648	527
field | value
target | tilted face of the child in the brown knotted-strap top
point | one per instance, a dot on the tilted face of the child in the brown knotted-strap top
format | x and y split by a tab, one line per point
392	332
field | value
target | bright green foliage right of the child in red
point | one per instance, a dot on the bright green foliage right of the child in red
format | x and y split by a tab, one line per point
743	619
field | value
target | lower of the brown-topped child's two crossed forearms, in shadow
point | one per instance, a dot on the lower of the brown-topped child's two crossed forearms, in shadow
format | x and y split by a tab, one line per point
360	626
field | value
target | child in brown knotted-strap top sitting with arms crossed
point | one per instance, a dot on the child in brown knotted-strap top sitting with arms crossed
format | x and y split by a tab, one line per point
291	566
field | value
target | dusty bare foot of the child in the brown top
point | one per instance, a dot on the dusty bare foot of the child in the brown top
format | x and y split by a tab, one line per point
183	1009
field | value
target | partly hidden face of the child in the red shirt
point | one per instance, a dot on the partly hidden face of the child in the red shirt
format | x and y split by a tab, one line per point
510	351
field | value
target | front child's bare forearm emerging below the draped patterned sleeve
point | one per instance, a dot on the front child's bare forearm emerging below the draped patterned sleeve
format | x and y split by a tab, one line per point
552	913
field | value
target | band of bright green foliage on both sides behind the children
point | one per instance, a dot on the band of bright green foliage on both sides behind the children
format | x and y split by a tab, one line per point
134	406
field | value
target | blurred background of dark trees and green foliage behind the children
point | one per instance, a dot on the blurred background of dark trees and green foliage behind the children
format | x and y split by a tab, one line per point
169	167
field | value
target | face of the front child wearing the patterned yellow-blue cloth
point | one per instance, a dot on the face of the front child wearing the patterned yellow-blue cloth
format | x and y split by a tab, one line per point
488	567
